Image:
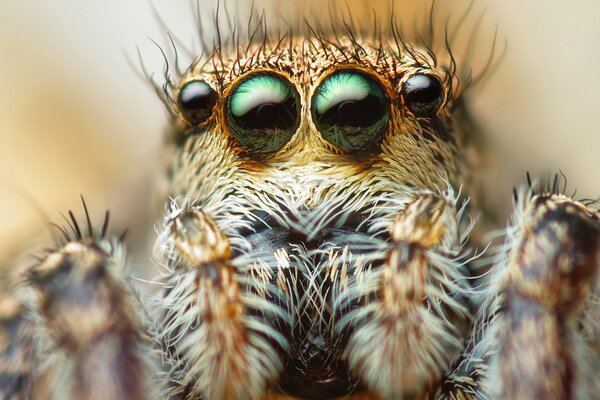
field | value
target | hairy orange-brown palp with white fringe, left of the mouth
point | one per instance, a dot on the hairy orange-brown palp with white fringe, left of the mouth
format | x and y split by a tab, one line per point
213	323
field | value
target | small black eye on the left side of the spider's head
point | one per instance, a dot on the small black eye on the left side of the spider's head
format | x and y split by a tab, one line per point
196	100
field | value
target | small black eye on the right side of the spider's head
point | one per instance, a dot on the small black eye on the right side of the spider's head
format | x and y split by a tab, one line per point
423	95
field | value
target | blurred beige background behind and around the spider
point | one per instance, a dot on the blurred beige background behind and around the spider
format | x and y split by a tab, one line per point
75	119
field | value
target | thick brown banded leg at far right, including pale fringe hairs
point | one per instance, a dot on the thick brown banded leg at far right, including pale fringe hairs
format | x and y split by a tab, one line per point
537	335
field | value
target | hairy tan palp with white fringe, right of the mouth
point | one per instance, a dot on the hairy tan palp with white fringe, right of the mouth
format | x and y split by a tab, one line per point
410	312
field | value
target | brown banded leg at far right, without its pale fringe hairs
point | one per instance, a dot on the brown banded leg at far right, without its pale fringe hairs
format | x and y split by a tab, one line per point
551	273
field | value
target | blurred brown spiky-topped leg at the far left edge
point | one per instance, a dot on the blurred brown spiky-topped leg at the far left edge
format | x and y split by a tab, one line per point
88	340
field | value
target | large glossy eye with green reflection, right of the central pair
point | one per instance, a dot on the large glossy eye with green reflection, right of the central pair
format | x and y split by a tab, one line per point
351	111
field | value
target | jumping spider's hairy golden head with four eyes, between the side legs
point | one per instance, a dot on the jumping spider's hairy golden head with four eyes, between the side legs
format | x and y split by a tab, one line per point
304	156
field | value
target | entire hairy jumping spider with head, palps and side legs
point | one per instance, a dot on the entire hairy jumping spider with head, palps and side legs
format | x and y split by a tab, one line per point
316	245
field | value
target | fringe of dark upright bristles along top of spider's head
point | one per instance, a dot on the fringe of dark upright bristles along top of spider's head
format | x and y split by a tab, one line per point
441	37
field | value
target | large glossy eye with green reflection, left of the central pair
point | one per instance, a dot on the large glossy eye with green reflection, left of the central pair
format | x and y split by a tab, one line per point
263	113
